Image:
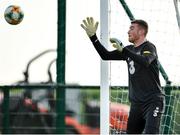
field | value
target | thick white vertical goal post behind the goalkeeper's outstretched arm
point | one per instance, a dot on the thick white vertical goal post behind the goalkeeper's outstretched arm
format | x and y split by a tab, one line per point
104	84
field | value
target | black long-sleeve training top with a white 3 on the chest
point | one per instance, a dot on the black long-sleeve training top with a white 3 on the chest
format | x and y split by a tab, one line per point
143	70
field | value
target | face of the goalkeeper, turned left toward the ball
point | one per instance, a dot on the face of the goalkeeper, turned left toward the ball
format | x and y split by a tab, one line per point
134	33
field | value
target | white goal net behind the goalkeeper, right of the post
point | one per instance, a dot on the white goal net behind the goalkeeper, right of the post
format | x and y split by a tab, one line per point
161	16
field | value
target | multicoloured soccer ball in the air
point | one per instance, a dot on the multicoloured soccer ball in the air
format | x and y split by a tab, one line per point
13	15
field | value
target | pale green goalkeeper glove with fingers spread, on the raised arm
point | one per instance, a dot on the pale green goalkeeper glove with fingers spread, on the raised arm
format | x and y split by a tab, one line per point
89	26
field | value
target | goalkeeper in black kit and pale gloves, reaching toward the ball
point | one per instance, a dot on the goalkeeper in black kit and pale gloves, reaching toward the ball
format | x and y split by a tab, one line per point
145	92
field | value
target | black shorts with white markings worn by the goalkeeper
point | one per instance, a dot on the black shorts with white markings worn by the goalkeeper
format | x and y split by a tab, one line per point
145	118
